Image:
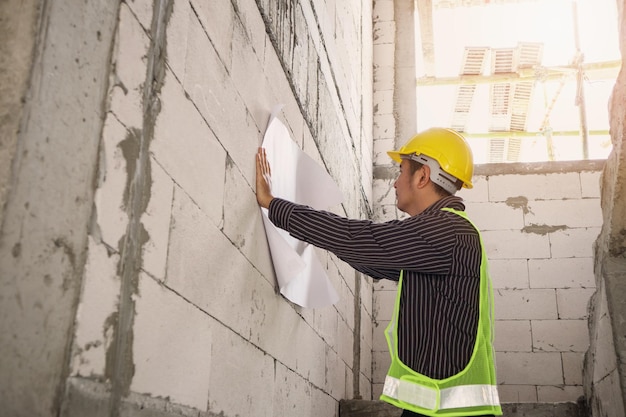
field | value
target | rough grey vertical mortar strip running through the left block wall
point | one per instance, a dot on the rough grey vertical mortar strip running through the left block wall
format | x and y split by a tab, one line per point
136	151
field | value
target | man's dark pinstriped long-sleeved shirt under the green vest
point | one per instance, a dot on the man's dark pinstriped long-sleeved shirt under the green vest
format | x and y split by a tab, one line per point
440	255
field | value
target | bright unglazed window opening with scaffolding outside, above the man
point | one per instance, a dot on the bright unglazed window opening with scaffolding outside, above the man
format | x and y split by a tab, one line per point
524	80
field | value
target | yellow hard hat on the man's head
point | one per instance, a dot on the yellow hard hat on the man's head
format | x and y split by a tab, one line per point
445	146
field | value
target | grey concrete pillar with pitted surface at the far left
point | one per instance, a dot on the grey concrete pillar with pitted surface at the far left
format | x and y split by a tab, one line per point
55	124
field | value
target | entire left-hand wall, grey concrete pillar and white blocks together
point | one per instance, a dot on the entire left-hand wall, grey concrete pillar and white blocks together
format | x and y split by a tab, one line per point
156	271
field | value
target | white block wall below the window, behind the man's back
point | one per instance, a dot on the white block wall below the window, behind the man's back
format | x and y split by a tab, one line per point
538	226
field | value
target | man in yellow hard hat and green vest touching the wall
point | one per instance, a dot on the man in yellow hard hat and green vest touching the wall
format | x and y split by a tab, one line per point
440	337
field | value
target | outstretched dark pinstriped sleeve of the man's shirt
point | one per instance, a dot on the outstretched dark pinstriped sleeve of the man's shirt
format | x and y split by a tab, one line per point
377	249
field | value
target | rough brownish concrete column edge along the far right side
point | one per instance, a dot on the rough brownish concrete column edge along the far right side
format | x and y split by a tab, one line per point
605	371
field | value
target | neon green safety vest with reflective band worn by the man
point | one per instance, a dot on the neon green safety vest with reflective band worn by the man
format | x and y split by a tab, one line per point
471	392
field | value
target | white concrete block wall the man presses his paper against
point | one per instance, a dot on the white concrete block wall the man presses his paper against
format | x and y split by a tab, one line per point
208	324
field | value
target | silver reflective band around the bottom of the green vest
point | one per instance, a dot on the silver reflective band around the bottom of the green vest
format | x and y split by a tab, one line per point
453	397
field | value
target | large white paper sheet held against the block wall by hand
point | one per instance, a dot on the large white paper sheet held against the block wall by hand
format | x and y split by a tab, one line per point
298	178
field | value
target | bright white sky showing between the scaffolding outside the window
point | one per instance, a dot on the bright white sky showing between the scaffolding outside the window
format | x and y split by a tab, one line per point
550	22
